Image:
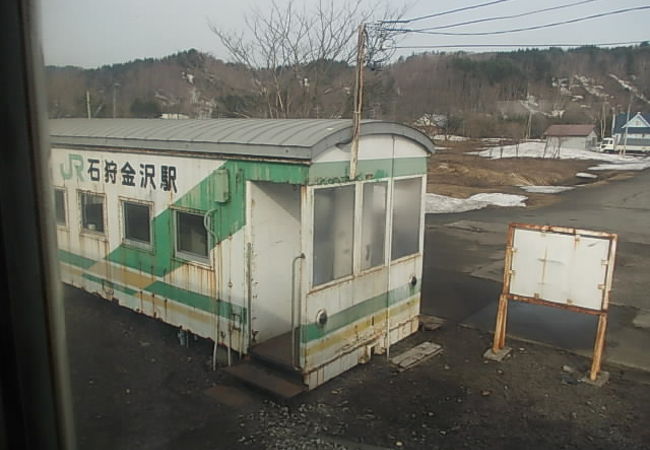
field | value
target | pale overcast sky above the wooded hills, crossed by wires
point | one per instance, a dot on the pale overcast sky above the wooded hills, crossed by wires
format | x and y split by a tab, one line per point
91	33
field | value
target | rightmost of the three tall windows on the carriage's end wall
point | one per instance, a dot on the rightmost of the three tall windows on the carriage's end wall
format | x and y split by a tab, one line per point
407	198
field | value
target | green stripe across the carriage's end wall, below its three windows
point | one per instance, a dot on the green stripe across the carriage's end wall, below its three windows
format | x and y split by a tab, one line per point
342	319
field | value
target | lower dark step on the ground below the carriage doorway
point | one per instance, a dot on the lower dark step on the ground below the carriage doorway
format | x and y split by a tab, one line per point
276	382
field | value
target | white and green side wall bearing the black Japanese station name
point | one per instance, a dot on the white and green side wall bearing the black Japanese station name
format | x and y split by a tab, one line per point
103	263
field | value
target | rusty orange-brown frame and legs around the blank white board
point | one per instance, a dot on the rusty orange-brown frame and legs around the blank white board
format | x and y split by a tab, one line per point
502	311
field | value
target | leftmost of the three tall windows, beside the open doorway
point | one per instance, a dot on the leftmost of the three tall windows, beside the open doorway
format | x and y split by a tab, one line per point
333	233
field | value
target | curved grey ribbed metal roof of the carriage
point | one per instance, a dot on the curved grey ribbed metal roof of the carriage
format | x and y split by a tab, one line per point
301	139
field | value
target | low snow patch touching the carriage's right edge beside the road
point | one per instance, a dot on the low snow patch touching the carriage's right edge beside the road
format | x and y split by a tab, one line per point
441	204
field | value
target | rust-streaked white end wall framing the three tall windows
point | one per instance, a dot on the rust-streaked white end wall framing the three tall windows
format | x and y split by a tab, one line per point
372	307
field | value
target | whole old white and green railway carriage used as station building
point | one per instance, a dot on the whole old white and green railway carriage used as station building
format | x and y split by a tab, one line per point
249	232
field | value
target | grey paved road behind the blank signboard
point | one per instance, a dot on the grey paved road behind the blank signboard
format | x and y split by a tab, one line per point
464	264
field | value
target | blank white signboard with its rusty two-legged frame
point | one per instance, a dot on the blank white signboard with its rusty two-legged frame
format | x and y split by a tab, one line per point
565	268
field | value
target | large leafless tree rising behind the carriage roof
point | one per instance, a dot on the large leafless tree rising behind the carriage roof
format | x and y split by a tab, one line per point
291	52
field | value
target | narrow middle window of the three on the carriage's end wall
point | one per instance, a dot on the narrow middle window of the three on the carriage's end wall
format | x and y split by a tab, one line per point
373	224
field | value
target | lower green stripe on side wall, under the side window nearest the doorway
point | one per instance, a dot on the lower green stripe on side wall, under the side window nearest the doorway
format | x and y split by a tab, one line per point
199	301
